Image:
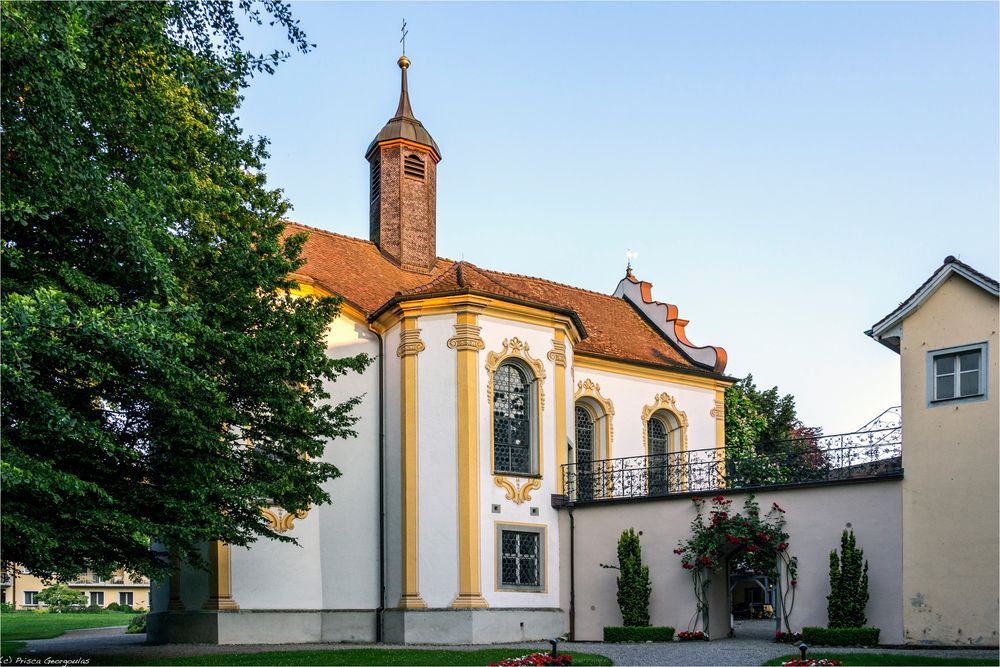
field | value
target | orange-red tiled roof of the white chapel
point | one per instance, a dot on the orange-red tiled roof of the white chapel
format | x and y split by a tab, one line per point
358	272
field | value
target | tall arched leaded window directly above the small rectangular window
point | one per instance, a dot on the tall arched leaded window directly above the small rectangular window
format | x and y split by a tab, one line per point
511	420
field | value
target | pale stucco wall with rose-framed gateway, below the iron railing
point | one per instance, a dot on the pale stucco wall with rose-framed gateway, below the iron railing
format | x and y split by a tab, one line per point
815	518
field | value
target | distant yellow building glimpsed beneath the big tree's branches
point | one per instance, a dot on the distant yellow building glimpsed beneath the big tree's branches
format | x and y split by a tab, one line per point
22	588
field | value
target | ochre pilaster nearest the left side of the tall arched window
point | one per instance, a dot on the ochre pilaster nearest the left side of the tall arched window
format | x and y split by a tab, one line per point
467	343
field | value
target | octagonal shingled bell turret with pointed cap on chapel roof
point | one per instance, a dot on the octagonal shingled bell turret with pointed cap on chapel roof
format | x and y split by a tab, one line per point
402	163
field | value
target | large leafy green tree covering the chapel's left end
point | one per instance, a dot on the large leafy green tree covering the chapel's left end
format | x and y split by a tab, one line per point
157	379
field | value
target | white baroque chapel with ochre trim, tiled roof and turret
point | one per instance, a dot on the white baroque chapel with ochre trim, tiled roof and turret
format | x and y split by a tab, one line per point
492	399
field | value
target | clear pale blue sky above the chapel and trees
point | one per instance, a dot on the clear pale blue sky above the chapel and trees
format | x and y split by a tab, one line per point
788	172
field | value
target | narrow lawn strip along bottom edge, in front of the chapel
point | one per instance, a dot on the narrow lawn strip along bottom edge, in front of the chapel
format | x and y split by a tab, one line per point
365	656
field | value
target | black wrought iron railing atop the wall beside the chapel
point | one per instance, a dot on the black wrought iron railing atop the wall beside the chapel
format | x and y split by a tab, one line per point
849	456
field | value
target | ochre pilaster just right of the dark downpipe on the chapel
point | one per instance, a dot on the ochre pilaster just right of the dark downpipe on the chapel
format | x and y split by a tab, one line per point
410	346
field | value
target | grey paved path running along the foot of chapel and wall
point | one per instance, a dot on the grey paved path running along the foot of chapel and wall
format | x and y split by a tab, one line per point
104	643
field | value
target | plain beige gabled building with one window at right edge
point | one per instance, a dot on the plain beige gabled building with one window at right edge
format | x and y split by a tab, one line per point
946	336
